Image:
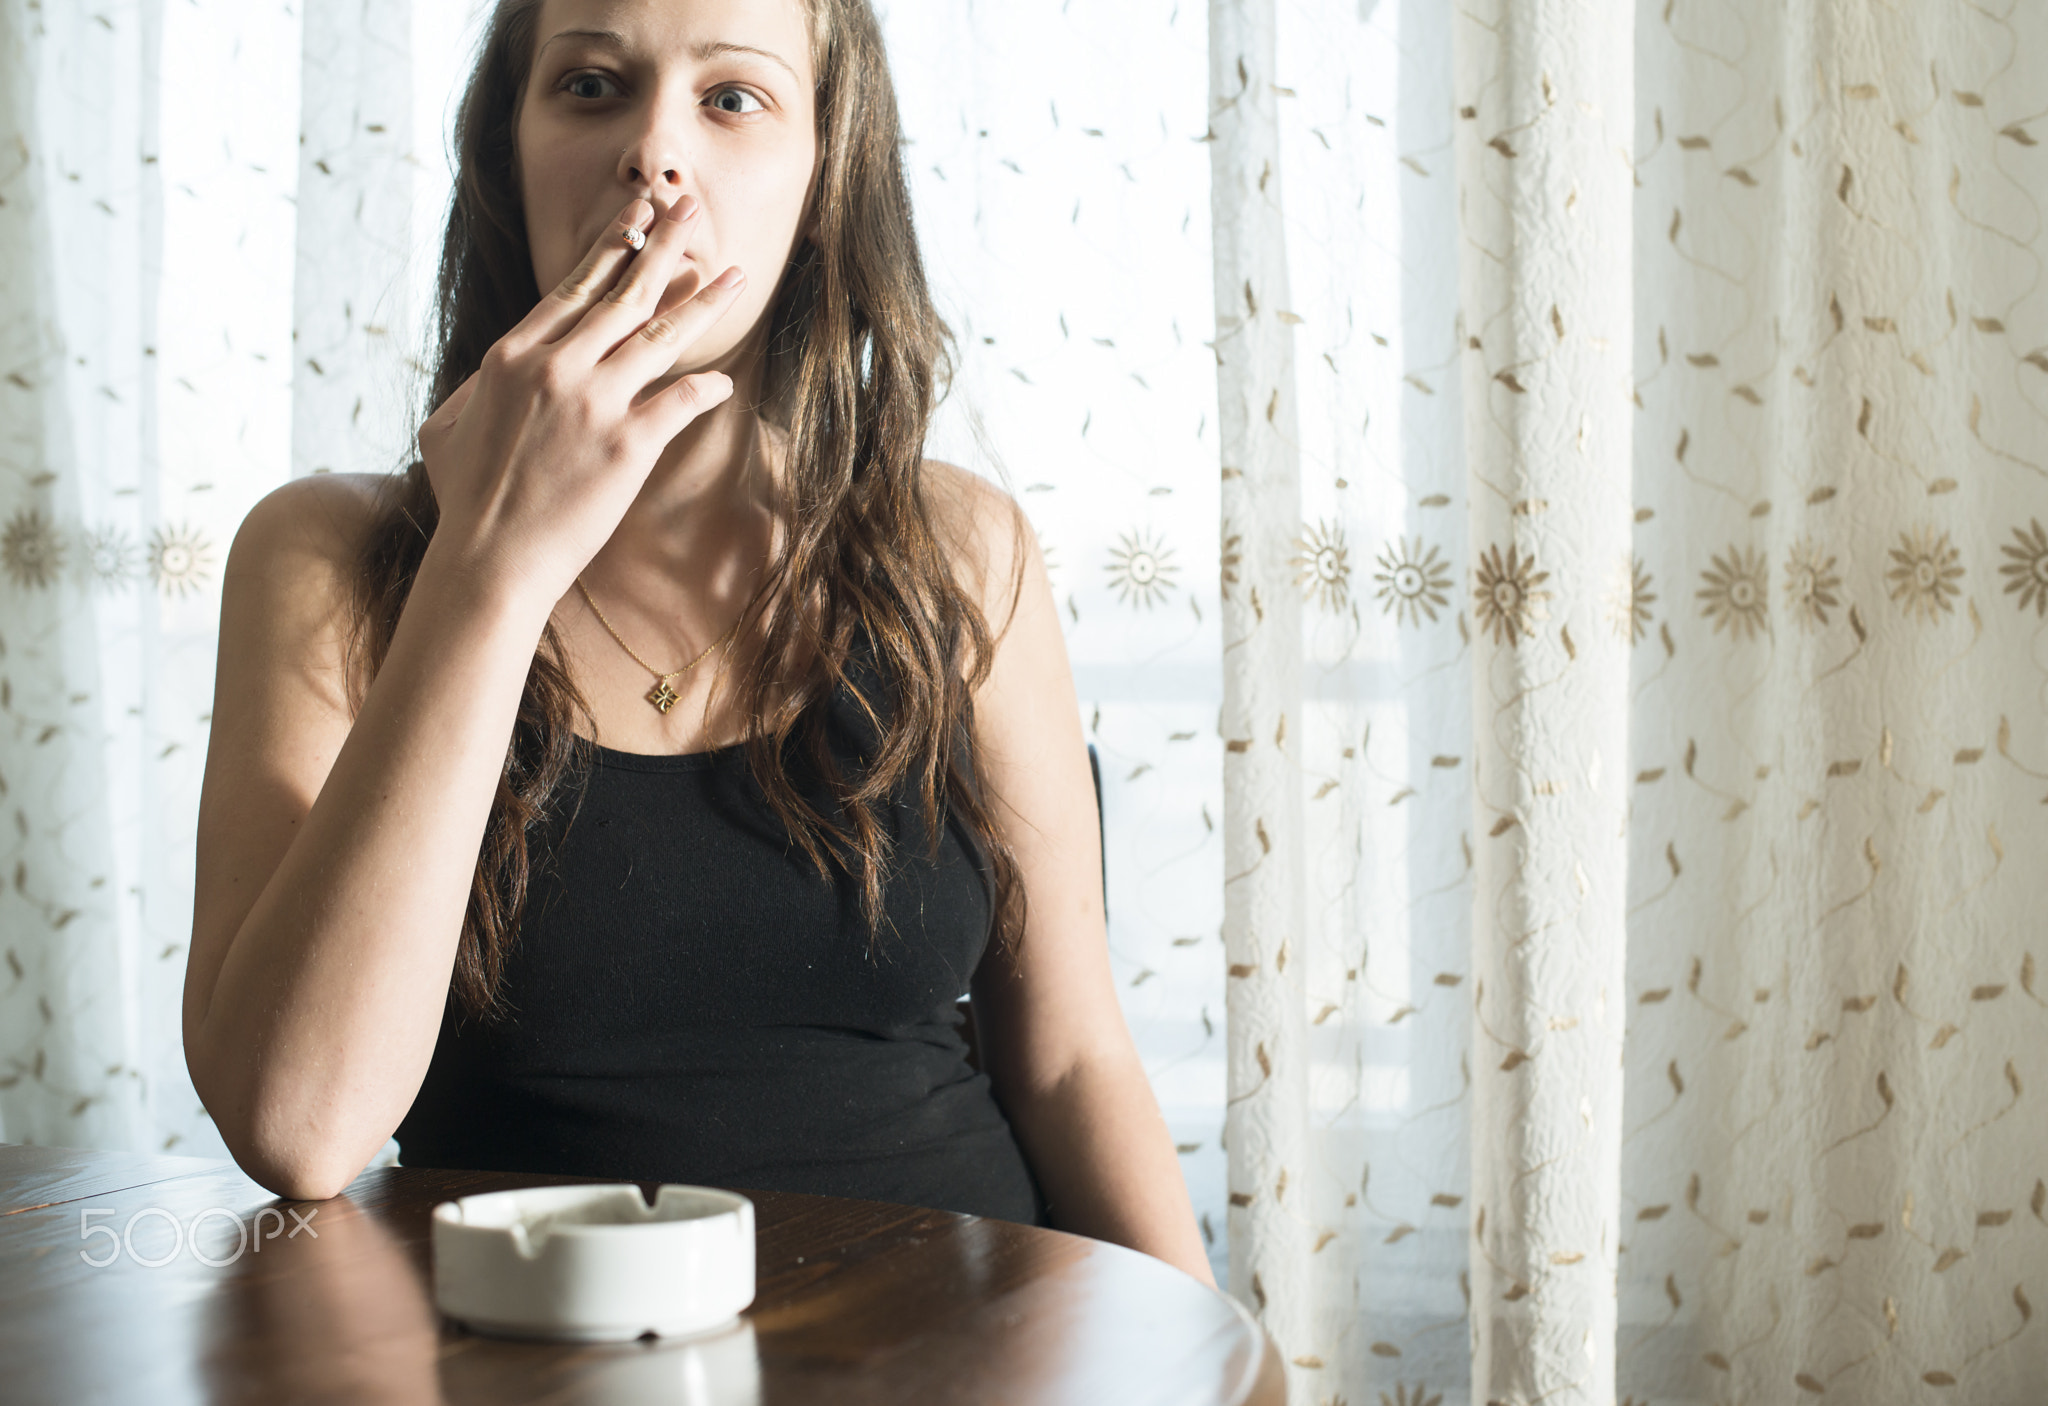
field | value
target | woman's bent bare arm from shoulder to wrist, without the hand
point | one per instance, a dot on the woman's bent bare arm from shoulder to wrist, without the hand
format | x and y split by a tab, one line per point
335	863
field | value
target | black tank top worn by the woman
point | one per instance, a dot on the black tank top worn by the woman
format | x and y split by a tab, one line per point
693	1002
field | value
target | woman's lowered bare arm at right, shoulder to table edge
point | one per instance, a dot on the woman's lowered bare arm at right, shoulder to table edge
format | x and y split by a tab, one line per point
1048	1020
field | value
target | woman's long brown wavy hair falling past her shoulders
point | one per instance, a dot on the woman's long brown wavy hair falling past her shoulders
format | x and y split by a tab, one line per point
853	369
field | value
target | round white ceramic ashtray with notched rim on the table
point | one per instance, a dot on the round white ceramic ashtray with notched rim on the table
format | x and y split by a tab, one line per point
595	1264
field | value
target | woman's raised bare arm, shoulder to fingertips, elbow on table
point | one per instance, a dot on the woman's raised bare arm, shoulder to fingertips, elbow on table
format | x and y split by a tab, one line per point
337	859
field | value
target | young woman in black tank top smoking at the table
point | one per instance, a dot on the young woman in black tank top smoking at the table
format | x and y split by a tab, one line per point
632	787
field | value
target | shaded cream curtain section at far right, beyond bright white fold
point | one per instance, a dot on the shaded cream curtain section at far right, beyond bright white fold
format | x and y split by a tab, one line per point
1834	1159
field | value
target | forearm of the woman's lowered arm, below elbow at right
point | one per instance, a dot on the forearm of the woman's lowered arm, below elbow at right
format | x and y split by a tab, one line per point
1107	1163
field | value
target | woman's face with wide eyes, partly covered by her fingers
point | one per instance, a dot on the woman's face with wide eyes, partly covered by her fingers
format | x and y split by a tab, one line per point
663	99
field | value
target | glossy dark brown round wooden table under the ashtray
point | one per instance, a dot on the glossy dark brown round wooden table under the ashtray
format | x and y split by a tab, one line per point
857	1303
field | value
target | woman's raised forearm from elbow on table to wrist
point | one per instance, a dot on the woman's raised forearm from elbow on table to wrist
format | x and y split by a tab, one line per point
327	1006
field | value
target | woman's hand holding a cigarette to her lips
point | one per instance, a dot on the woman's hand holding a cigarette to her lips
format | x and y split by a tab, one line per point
538	455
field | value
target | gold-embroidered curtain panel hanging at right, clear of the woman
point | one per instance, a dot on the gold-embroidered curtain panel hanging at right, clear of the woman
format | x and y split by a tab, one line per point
1635	697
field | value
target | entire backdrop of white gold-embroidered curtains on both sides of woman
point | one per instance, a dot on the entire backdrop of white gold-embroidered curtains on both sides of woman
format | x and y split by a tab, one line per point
1531	488
